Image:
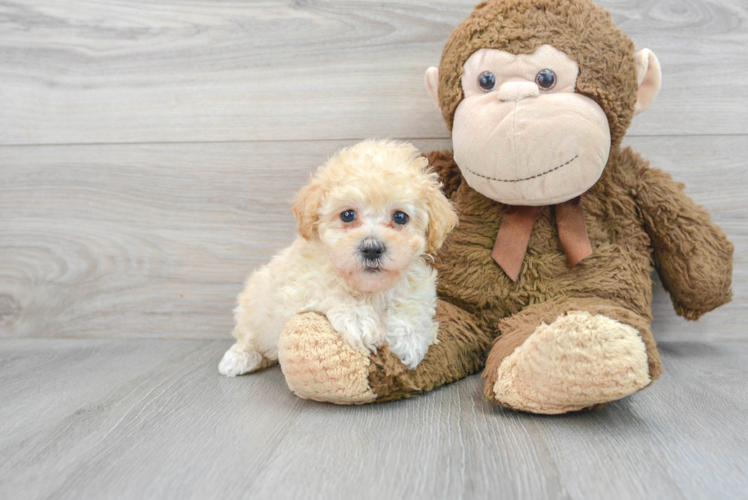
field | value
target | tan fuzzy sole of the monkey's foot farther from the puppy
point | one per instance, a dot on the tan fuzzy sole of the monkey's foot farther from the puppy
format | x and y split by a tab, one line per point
576	362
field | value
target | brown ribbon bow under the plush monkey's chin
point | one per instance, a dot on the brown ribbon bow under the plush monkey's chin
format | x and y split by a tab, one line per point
516	228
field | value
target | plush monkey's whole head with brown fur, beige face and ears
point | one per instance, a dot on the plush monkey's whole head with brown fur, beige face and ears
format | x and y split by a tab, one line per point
536	92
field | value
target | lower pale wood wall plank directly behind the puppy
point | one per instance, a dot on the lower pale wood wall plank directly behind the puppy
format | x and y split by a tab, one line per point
155	240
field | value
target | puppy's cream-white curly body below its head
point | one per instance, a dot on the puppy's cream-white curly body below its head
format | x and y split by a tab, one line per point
299	279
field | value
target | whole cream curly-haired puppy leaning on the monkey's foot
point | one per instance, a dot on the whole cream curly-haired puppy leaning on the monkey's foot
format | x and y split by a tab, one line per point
367	223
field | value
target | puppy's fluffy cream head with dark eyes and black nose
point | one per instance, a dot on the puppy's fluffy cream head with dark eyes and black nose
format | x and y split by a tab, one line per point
375	207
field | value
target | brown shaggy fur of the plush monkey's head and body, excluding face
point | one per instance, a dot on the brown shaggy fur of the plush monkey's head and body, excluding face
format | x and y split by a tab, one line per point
638	218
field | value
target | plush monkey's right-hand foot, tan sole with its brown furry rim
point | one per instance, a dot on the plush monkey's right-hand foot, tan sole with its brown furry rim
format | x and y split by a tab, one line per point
569	355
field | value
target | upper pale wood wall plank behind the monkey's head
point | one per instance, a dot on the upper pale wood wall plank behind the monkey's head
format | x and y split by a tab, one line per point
97	71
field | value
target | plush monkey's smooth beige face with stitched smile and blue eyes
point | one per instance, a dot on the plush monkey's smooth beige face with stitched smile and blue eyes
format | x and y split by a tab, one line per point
521	135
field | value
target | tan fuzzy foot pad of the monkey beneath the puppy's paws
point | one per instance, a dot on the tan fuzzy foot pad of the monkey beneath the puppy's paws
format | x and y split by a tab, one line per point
319	365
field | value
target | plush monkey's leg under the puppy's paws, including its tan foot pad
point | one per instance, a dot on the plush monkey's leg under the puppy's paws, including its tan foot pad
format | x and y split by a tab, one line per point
318	365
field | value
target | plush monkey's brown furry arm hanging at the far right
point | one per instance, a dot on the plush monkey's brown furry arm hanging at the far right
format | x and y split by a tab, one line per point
691	253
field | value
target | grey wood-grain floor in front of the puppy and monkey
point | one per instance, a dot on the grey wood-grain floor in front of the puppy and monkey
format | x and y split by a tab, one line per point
153	419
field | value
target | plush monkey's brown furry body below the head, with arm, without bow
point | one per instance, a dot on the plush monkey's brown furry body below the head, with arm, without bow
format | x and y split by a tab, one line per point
480	303
